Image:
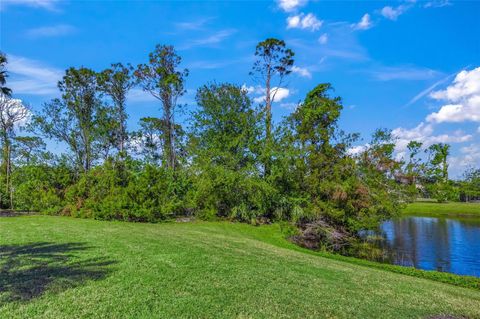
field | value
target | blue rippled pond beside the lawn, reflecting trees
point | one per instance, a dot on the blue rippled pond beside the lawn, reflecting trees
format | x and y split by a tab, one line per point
442	244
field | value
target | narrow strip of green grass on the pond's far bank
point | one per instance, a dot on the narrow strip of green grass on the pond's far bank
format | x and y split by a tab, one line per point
443	209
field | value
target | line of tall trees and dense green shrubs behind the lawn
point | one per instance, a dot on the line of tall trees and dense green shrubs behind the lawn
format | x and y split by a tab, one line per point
228	161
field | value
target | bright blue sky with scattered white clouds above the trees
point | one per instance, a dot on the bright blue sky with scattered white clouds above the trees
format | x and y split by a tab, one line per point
412	66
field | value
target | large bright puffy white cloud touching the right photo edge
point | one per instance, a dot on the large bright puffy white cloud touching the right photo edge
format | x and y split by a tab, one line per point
463	98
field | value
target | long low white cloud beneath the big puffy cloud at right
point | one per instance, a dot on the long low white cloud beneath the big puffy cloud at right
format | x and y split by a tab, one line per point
424	133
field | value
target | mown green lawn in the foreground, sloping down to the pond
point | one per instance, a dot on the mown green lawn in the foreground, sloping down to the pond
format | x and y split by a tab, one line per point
58	267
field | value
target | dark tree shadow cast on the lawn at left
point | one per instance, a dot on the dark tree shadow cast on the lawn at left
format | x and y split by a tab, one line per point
27	271
